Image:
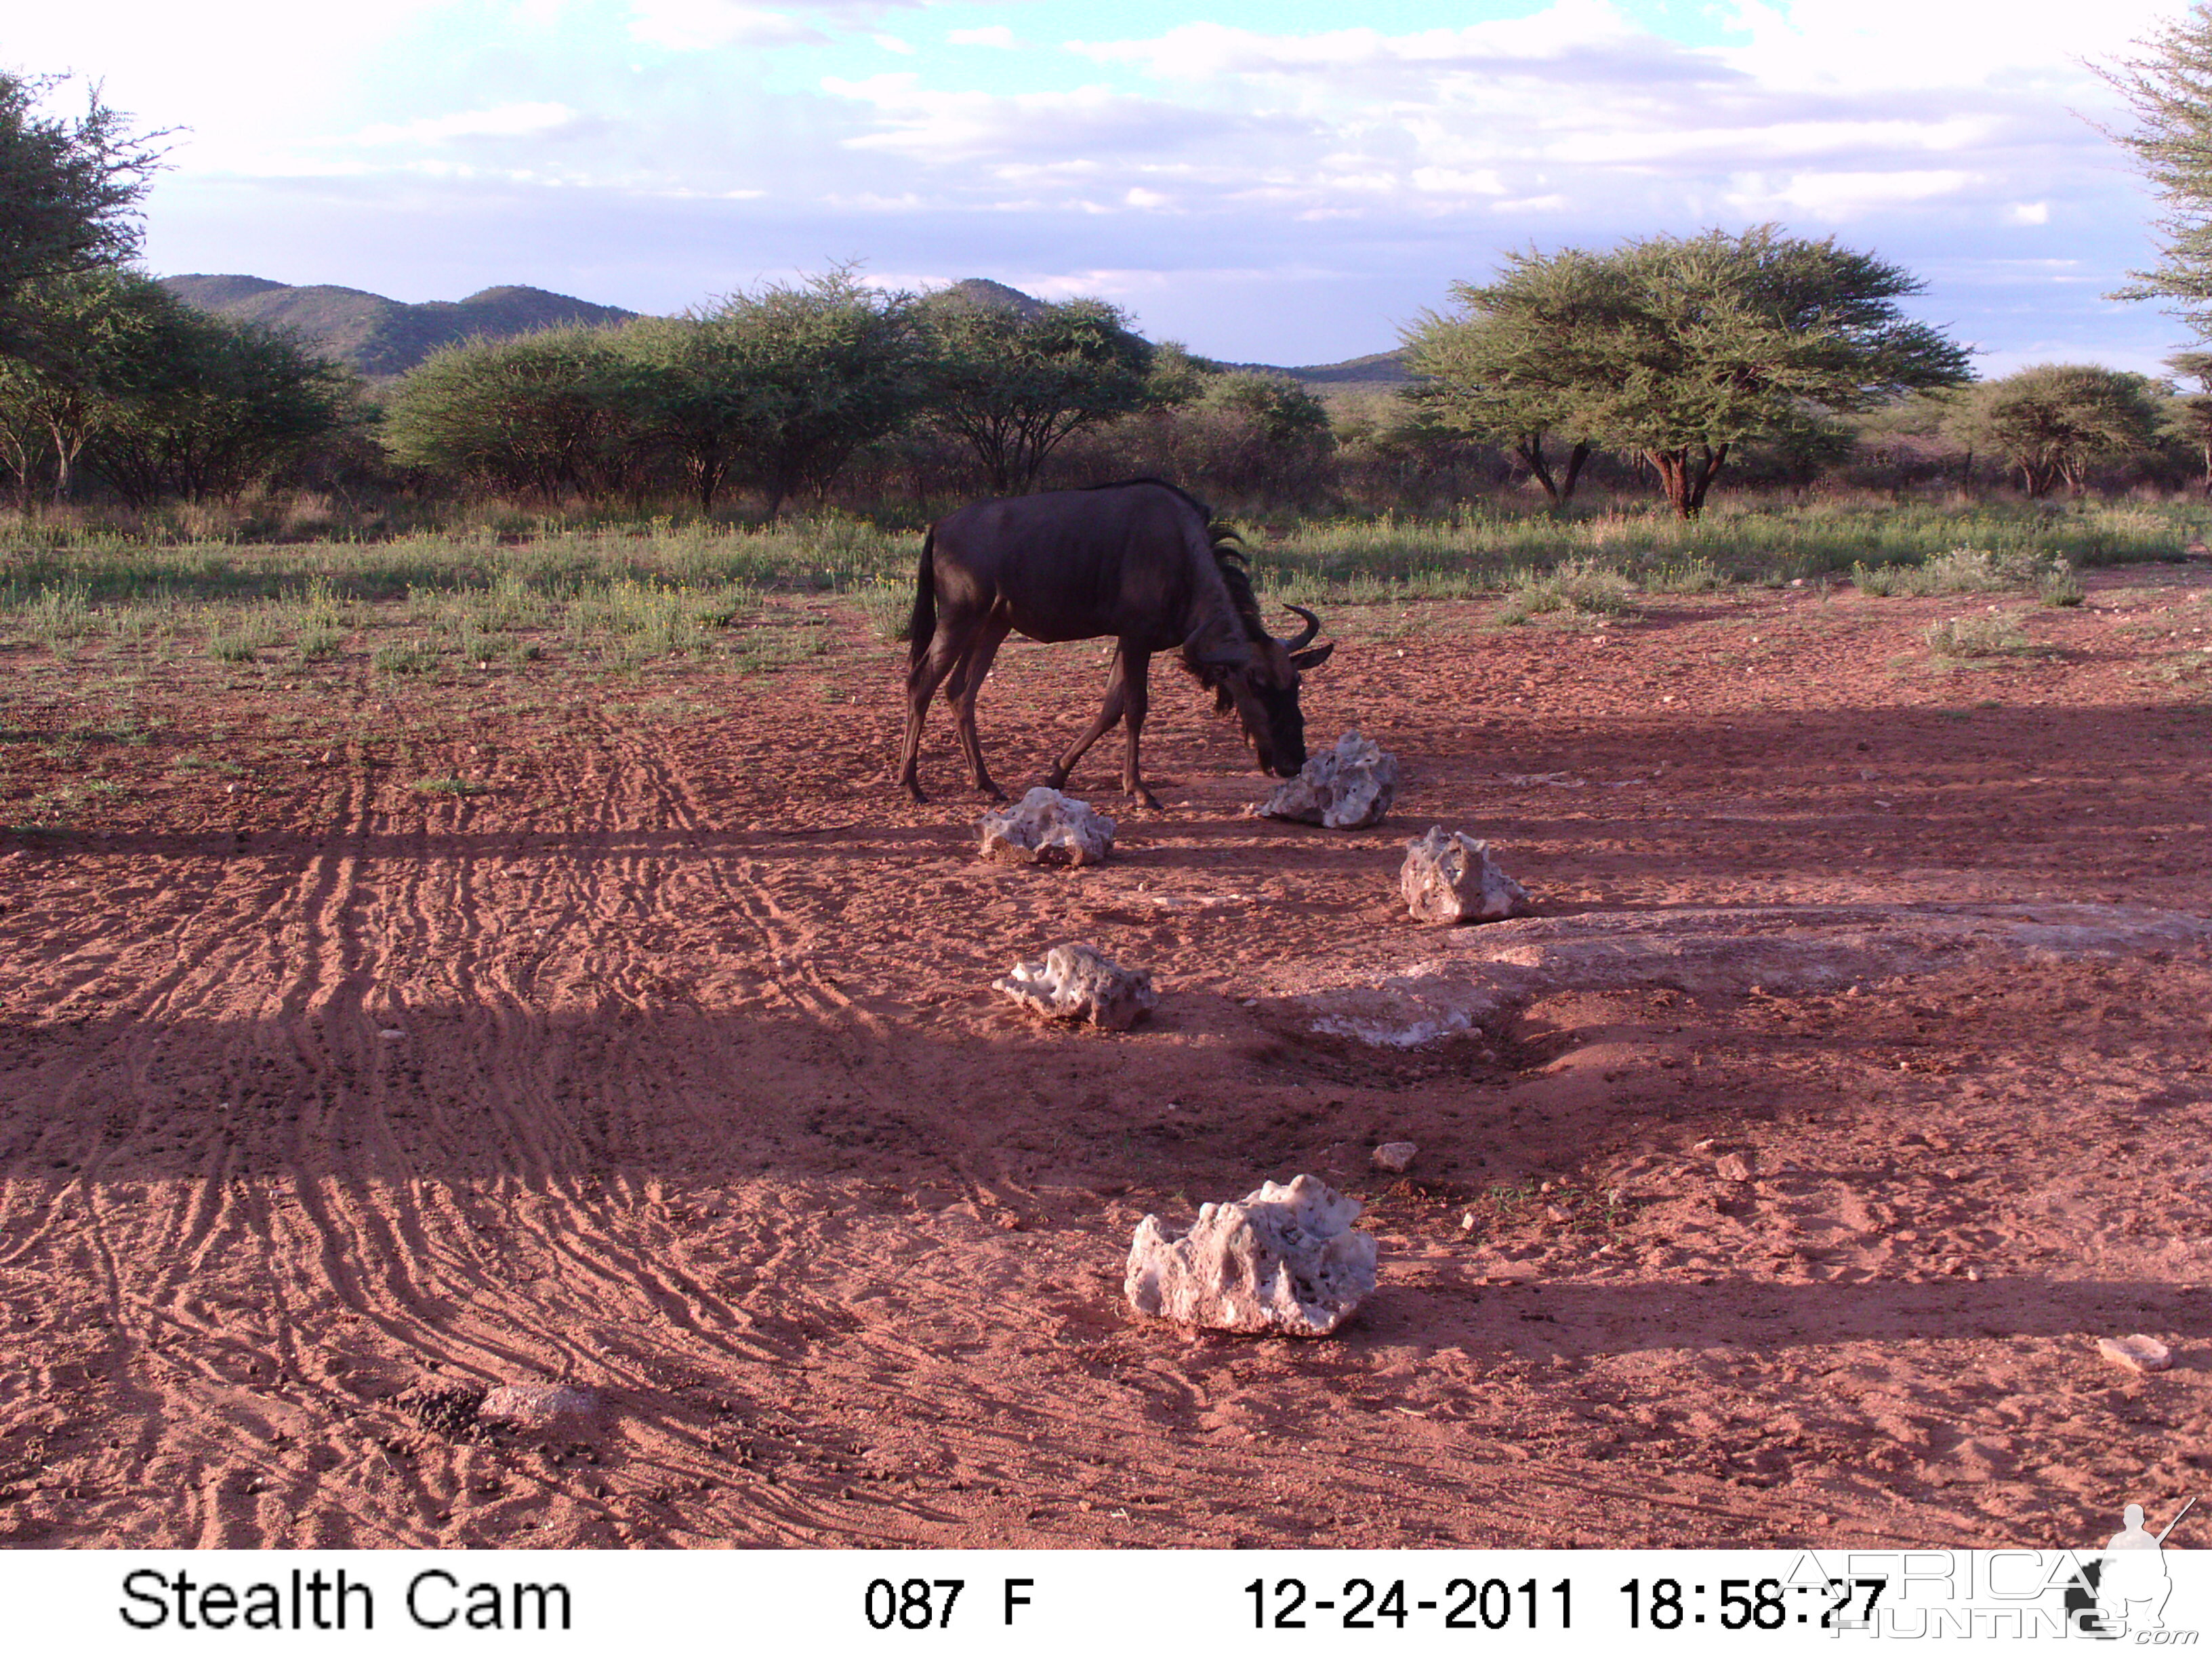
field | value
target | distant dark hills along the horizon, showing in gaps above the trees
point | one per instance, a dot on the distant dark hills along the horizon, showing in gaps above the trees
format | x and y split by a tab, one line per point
384	337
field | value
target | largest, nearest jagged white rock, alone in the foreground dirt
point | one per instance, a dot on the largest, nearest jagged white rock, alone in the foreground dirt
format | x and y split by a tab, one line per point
1284	1260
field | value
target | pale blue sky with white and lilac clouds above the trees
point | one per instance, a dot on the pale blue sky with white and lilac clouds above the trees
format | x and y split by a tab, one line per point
1266	182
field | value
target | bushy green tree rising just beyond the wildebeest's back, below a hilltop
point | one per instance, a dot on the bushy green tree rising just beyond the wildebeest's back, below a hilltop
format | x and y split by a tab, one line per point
1014	384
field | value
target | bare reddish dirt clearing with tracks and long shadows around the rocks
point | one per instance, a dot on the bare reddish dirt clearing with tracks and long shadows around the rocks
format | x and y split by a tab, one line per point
368	1041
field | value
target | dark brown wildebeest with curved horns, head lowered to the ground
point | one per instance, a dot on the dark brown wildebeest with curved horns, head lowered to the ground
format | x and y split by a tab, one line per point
1138	563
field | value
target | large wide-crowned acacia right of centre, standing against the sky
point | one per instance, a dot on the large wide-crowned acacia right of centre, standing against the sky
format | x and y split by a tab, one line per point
1682	348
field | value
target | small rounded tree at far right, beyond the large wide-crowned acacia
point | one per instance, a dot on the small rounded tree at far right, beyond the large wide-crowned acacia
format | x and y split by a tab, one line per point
2060	419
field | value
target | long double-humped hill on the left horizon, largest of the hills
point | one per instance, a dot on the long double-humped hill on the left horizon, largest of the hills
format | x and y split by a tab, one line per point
382	337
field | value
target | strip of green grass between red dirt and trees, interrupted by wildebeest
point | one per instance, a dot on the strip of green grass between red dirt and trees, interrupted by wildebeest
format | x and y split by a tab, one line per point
627	592
